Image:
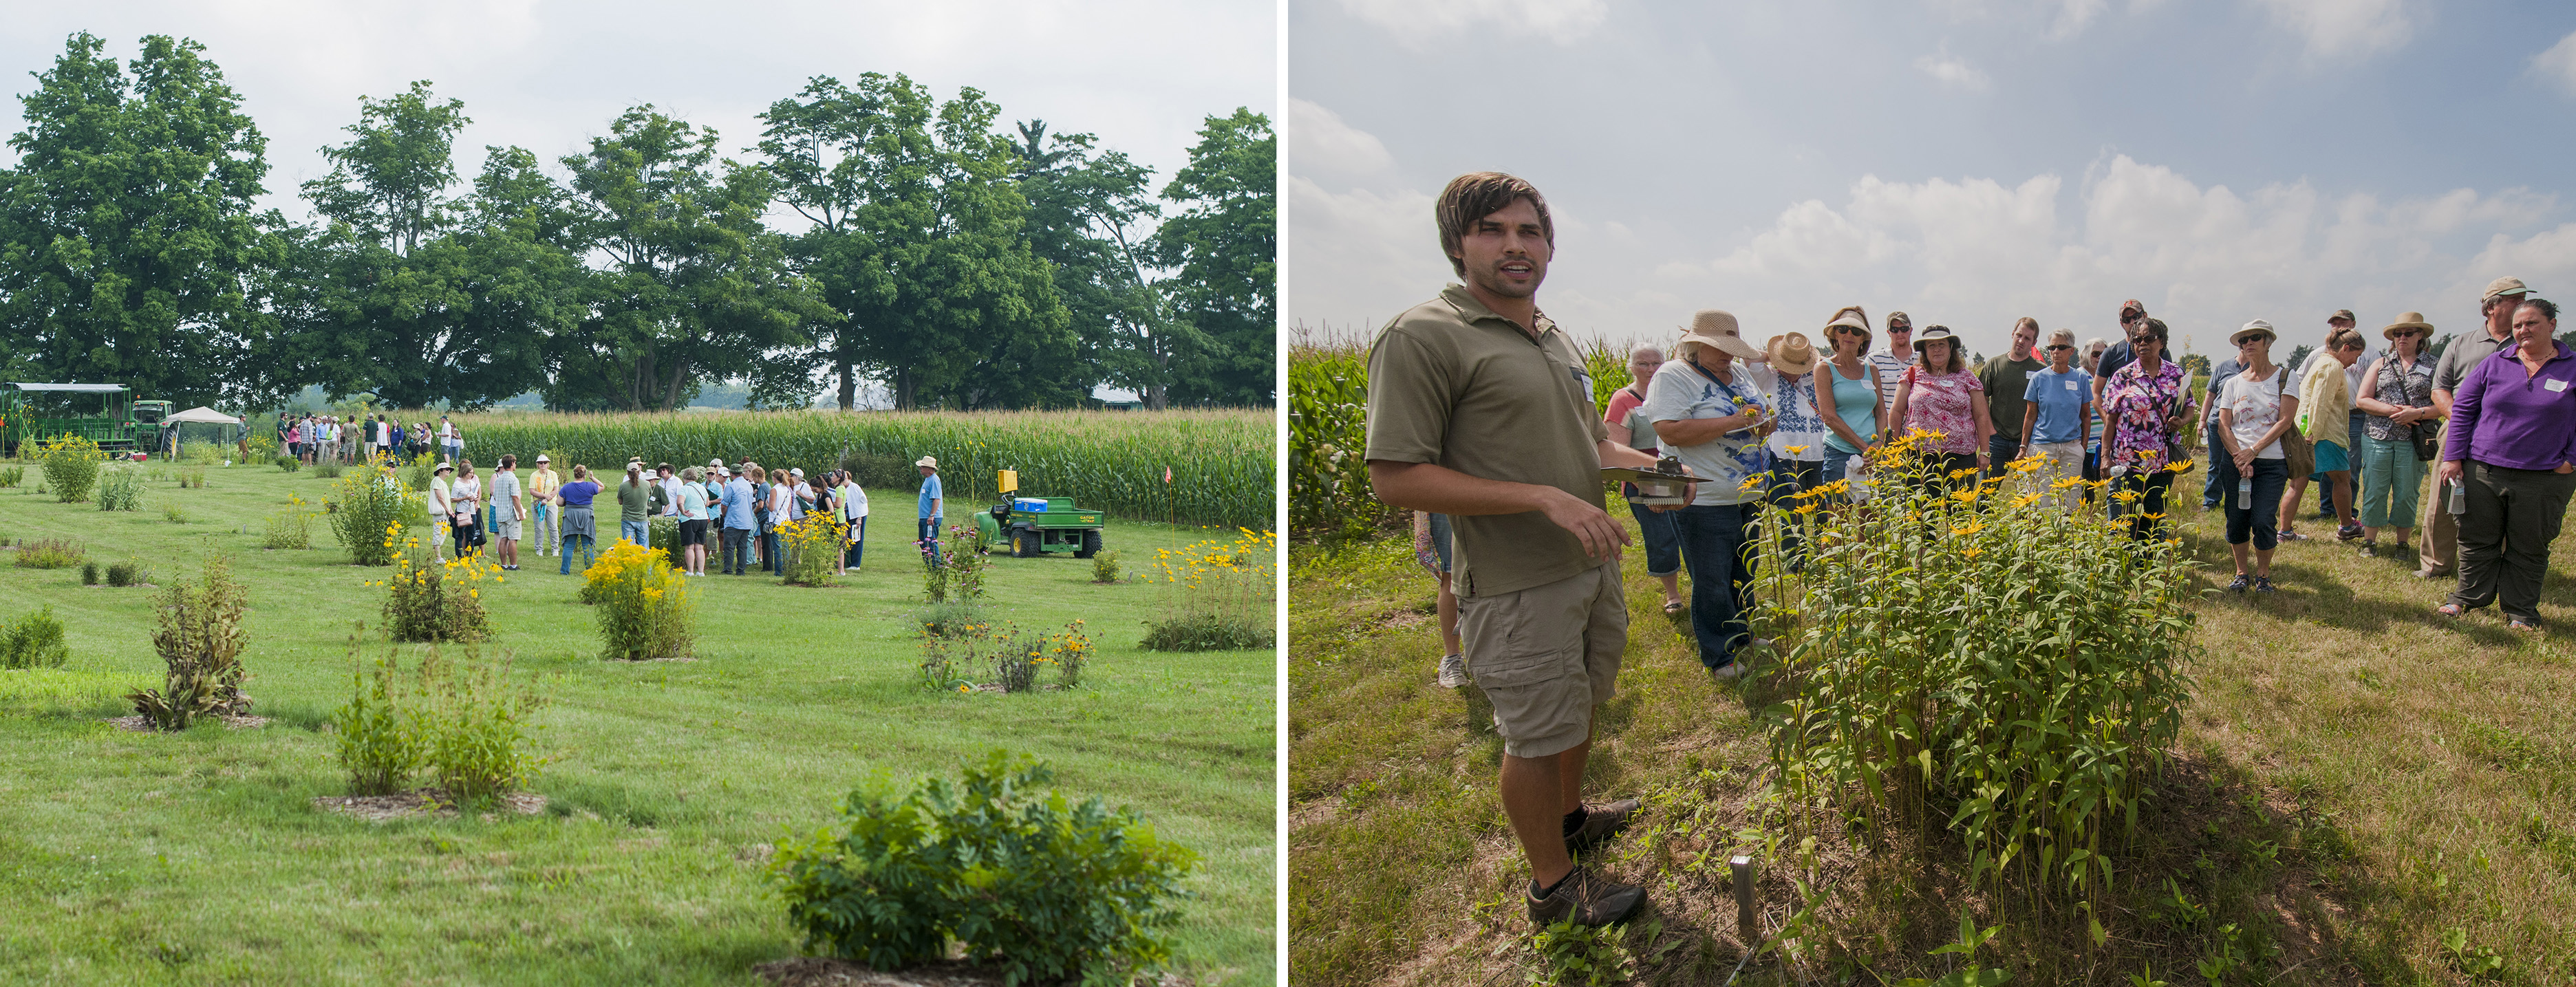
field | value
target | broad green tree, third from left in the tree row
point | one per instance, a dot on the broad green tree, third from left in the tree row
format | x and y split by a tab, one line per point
697	285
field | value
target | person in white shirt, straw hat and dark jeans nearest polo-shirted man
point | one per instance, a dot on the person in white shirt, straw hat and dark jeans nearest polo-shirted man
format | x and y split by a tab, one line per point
1714	416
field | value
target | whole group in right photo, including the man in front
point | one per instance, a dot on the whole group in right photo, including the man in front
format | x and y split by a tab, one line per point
1482	421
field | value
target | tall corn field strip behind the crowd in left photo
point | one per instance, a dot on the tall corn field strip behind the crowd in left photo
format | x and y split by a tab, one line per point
1220	460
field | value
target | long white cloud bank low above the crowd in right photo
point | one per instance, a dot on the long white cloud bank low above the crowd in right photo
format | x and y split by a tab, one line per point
1977	254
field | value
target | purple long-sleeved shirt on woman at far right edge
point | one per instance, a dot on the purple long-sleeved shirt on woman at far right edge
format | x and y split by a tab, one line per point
2510	419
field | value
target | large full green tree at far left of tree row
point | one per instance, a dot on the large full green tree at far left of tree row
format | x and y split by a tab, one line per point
128	233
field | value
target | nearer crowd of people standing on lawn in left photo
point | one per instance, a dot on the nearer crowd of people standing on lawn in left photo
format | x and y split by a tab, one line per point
733	514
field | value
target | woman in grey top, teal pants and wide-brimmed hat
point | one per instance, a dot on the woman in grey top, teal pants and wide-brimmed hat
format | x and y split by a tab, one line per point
2397	434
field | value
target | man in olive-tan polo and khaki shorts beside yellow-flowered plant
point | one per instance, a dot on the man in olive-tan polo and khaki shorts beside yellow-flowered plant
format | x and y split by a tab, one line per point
1480	408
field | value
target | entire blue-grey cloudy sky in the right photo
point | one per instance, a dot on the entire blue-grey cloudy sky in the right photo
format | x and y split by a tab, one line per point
1967	161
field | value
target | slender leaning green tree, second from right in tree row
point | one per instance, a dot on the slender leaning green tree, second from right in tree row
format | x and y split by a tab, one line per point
1091	215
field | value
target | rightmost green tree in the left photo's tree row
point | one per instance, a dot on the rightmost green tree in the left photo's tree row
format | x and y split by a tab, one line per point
1225	251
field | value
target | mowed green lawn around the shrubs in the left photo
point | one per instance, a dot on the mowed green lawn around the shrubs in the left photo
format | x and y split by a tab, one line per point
200	859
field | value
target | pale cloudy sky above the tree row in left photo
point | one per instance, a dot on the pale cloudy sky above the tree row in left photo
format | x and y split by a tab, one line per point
550	76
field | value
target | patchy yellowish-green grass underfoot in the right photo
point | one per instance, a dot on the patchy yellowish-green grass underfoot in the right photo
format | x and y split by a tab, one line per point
2356	780
